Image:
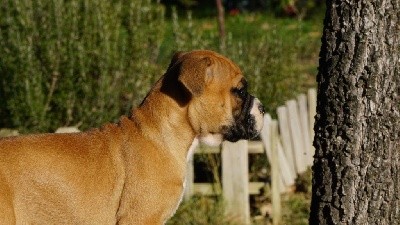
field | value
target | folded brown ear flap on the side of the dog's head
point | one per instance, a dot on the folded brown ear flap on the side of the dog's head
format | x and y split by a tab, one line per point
194	73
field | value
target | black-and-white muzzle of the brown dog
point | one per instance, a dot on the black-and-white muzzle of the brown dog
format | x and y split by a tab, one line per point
248	124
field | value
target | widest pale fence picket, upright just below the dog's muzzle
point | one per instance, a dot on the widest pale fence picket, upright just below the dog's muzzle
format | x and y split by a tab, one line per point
235	179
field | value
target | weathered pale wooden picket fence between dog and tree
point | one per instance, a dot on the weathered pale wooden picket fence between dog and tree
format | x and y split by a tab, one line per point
287	142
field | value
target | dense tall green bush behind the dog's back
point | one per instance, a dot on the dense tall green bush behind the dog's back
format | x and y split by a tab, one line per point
77	62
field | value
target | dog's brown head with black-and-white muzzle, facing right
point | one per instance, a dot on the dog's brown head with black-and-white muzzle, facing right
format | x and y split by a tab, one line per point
215	92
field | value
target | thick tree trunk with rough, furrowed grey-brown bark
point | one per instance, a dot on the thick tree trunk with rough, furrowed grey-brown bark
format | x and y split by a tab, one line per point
356	172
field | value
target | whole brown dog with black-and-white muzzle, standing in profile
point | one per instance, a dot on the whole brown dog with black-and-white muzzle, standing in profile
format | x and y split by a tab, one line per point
131	172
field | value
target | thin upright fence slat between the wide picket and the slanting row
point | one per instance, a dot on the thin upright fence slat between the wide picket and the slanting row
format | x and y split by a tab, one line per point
275	190
